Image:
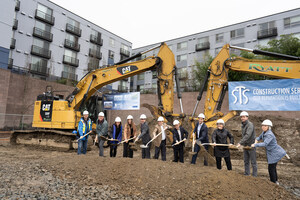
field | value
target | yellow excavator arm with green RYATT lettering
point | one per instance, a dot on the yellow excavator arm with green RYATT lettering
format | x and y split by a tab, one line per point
217	78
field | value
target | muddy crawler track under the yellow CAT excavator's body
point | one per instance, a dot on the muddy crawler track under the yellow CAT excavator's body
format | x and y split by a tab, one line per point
47	138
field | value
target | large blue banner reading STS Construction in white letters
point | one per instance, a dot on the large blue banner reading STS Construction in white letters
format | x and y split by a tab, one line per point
266	95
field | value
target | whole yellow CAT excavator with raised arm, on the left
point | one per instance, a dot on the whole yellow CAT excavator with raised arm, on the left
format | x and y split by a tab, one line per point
56	119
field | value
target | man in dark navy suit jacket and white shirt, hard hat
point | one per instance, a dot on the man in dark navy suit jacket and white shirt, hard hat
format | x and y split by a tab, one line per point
201	132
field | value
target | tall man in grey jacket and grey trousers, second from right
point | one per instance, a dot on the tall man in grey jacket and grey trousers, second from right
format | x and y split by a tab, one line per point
248	138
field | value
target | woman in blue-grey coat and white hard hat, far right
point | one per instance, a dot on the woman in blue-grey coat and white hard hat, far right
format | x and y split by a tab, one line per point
273	150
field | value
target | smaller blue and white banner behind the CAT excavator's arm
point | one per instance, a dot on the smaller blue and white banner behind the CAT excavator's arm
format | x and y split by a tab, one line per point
122	101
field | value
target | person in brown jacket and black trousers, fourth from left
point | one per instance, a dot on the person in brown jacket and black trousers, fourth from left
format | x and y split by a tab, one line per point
129	133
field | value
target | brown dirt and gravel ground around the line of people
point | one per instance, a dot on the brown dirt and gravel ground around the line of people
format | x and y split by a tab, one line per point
93	177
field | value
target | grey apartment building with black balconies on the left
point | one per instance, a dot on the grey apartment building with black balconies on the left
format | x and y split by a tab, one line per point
46	41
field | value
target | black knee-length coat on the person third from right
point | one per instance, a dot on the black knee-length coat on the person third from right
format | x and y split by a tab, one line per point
220	137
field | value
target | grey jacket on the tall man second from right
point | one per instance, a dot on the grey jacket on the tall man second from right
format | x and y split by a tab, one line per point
248	134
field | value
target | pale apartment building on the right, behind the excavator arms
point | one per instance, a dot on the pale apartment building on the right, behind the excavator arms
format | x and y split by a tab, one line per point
197	47
